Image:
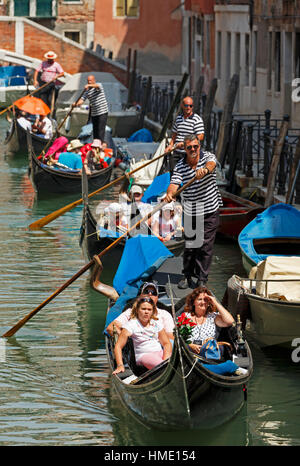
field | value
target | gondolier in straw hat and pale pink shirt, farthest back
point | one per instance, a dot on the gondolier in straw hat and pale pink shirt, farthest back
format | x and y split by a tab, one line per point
49	69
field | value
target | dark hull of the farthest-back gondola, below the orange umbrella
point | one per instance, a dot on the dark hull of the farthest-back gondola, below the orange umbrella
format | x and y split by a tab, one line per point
16	140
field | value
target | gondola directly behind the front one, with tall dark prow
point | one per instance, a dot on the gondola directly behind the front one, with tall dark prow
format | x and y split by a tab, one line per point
92	243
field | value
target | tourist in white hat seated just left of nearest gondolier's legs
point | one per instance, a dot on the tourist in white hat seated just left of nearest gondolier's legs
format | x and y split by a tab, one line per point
166	224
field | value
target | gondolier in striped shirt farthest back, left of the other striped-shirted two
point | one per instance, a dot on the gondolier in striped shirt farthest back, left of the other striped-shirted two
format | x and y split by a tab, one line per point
94	92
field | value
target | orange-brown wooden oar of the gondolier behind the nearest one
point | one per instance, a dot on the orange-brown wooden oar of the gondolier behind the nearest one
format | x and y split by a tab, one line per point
49	218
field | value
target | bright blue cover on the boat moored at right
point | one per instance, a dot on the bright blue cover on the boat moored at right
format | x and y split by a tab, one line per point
278	221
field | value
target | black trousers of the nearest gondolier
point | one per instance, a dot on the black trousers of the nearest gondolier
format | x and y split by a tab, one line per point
197	261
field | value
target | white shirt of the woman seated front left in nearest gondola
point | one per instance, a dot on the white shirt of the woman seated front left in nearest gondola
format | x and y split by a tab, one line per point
145	339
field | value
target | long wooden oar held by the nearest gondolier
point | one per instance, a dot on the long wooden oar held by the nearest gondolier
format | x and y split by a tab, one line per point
86	267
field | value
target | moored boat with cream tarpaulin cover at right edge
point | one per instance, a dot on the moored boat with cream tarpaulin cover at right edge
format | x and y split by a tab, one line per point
269	300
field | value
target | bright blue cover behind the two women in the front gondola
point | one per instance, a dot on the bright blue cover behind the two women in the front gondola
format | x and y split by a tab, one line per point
141	257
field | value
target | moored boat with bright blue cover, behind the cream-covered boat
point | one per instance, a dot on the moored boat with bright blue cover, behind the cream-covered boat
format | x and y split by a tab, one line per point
276	231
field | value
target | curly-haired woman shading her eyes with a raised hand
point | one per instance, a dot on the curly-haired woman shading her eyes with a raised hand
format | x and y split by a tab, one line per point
208	315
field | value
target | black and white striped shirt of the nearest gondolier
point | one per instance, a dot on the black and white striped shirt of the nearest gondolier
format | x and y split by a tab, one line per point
203	194
